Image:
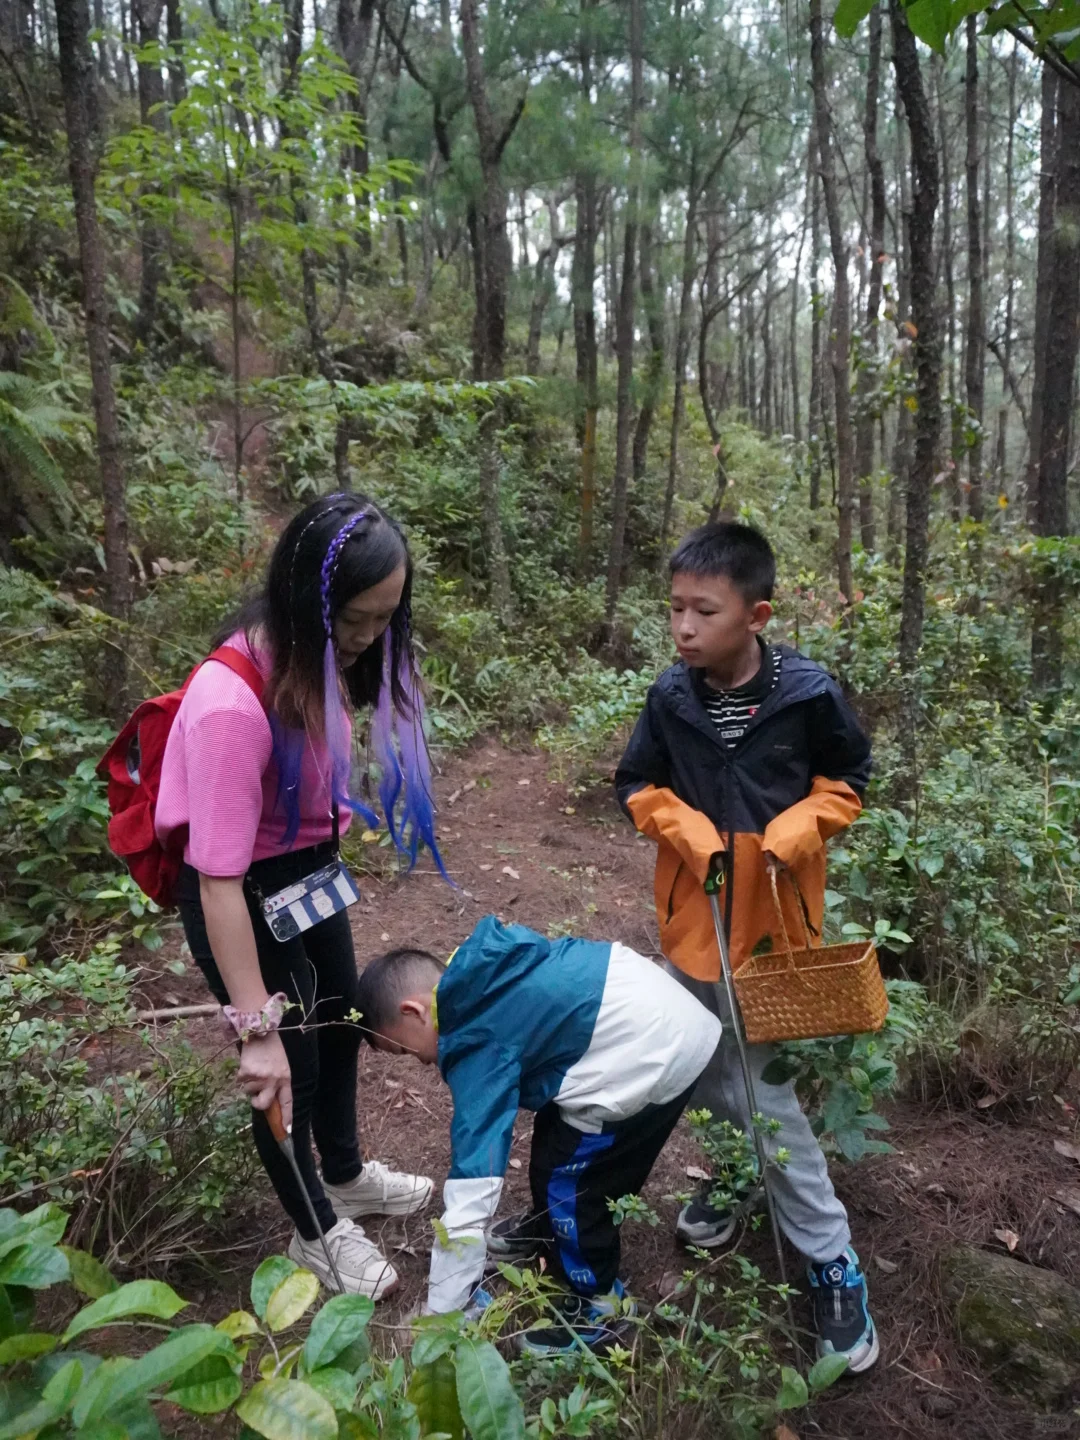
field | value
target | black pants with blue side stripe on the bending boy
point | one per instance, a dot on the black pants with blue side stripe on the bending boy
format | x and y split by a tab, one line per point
574	1177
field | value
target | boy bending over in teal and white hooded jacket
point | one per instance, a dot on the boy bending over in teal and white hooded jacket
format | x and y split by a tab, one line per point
601	1043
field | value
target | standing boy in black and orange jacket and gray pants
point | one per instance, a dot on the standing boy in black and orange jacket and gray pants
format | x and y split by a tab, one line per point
751	751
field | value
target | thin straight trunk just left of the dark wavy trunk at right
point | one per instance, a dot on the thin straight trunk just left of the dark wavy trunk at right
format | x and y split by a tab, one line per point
876	244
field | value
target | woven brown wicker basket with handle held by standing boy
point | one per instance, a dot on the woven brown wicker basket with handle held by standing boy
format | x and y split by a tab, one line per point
826	990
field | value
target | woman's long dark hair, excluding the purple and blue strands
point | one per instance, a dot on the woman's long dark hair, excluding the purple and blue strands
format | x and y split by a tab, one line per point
287	616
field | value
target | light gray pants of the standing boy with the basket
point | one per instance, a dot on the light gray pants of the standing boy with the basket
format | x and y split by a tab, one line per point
807	1207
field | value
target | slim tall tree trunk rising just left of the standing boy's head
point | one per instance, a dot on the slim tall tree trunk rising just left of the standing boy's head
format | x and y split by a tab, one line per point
624	326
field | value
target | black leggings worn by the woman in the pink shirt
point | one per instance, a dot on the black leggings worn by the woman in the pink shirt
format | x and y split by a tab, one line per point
319	971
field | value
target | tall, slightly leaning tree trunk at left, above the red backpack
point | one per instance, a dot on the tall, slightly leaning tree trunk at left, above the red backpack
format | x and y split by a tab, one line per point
78	80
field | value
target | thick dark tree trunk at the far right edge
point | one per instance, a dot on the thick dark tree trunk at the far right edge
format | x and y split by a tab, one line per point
1059	395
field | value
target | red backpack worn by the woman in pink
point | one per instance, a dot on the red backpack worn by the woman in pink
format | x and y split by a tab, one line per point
133	770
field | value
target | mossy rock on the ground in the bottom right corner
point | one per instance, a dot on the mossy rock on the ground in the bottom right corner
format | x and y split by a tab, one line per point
1023	1323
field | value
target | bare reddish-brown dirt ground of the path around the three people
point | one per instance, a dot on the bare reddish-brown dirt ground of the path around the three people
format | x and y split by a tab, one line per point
526	845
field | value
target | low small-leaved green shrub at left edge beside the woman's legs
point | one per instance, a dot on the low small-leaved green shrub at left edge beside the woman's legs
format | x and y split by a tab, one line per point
148	1156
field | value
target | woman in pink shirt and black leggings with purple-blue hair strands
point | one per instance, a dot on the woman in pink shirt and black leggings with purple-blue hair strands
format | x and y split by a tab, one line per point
261	786
